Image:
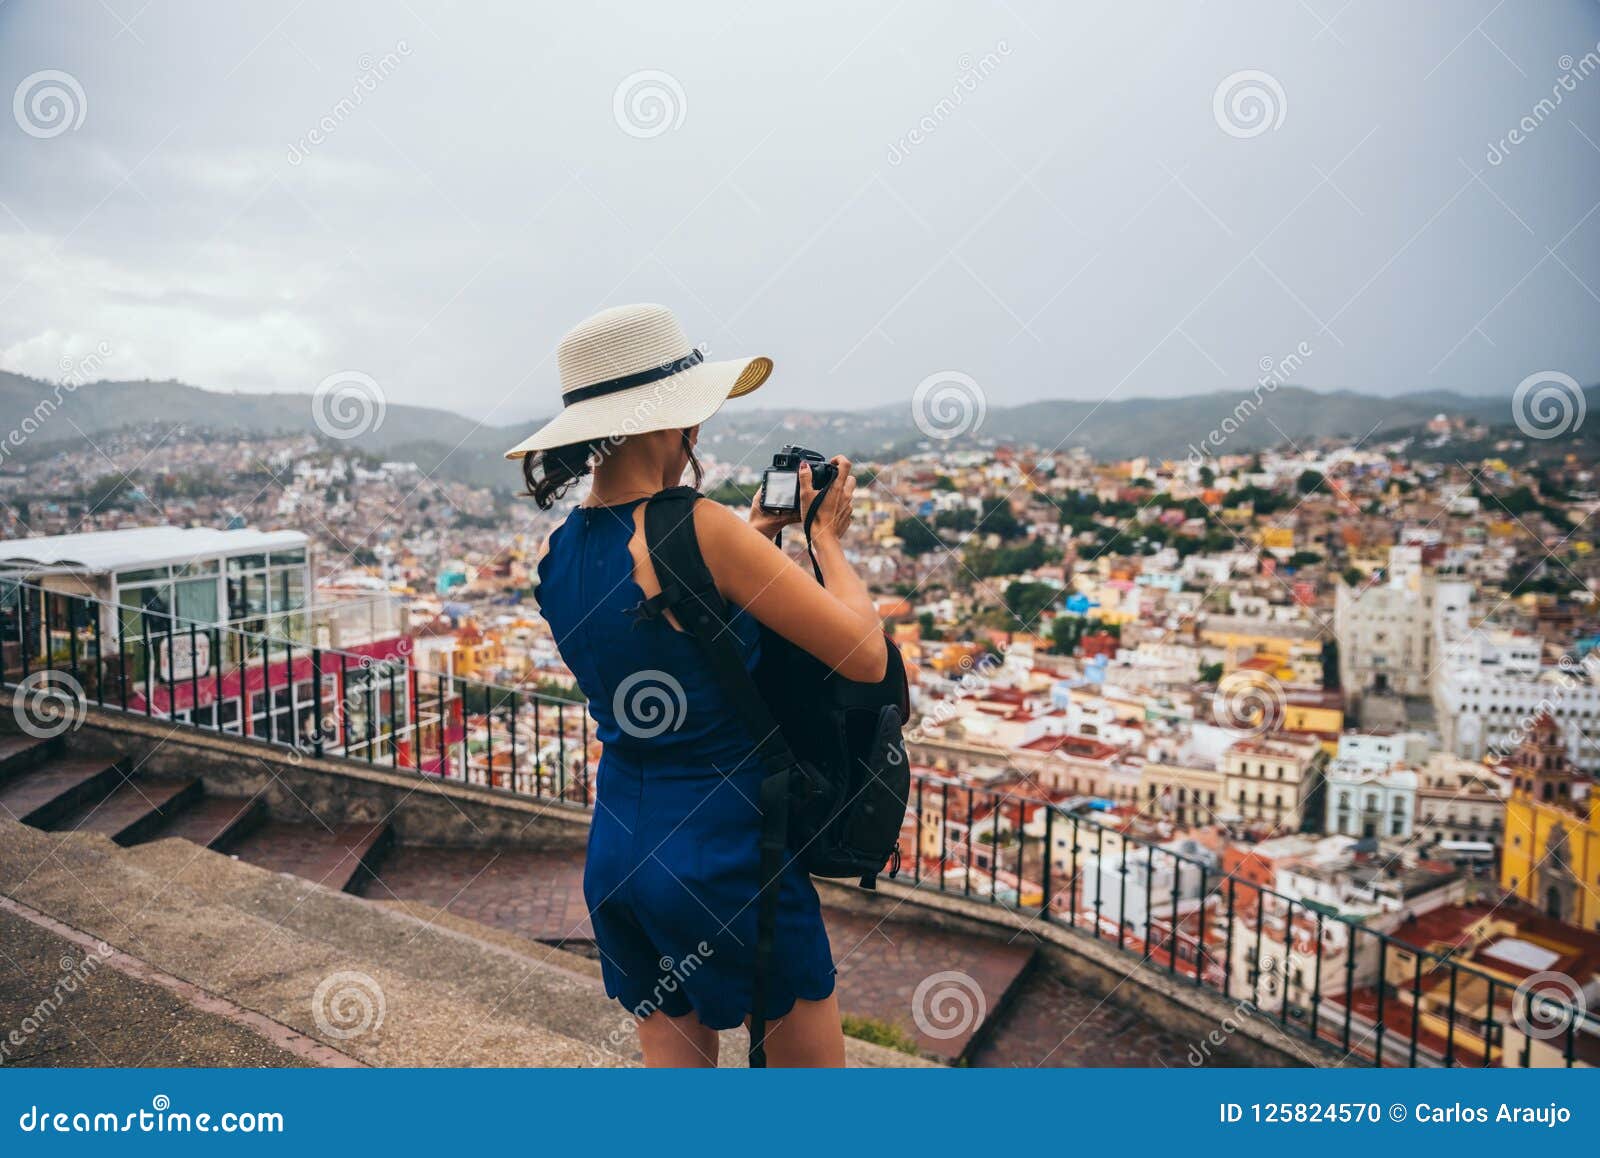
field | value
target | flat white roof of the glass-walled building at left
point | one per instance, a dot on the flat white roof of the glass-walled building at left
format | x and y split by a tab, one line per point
98	553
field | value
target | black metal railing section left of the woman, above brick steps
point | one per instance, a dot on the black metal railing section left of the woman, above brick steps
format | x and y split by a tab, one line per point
372	703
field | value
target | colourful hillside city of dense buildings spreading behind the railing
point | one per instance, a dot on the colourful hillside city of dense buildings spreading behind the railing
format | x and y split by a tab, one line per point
1313	727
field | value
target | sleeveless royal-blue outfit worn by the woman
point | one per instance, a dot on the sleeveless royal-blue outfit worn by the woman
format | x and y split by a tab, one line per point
674	849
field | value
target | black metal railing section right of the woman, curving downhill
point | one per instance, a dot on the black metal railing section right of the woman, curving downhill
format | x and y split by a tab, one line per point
1377	996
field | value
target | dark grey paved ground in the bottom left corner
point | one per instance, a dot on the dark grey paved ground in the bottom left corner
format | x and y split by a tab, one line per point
70	1013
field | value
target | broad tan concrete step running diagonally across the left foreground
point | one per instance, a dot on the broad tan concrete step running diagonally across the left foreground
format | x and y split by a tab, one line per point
324	964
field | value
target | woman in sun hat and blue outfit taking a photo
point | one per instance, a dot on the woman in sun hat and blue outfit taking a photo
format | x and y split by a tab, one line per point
673	871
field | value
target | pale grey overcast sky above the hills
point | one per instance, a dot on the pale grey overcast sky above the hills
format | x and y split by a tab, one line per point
260	196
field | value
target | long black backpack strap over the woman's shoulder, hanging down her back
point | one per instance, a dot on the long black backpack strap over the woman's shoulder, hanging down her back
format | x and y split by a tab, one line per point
690	593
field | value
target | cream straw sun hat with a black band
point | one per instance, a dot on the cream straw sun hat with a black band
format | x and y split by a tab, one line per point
631	370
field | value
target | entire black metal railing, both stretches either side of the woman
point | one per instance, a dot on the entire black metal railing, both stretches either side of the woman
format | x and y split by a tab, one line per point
1374	994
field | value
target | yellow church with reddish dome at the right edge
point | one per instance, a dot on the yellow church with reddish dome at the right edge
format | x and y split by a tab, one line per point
1553	841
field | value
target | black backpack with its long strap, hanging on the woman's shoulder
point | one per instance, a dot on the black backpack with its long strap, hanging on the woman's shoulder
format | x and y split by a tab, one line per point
834	797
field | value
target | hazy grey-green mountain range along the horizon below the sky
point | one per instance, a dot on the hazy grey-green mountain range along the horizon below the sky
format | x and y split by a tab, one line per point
41	417
